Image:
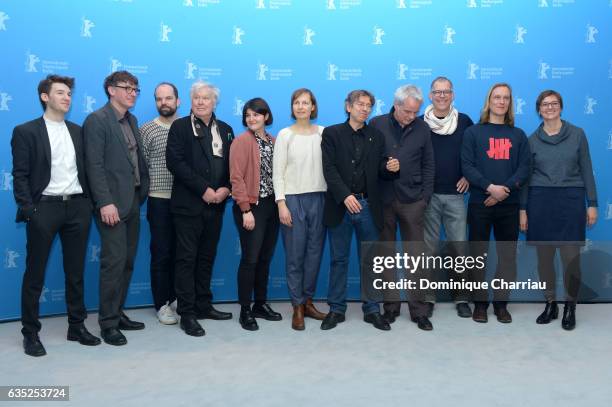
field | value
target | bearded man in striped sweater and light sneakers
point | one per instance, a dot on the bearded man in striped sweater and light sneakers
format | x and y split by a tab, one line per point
154	140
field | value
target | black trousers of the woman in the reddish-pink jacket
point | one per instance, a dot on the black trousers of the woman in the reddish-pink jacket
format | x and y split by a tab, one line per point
257	248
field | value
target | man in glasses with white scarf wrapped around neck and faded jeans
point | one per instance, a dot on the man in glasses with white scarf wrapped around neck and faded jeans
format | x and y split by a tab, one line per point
447	206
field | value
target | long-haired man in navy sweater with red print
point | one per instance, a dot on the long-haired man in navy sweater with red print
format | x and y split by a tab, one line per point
495	160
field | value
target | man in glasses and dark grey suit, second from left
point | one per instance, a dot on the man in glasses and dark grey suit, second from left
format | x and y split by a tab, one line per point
119	181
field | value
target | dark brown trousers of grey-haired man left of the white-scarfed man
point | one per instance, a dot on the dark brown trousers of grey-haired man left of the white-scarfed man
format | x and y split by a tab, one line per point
410	218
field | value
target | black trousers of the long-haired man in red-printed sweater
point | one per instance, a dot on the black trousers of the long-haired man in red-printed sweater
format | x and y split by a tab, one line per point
504	221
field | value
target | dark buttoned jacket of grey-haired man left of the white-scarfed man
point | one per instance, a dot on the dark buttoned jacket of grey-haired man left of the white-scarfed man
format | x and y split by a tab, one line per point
415	154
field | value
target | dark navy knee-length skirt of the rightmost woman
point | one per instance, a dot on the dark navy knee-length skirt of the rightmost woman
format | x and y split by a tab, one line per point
556	214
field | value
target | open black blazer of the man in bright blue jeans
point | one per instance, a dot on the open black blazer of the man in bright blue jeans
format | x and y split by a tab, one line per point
338	169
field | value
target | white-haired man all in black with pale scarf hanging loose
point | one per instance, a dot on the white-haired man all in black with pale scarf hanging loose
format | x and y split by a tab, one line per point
197	155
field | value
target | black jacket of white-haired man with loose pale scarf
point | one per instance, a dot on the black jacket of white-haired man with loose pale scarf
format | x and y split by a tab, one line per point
189	159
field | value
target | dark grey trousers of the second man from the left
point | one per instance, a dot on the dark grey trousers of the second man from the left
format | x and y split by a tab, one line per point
119	244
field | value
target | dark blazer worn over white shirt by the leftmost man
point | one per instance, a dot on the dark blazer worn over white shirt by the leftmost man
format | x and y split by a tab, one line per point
32	163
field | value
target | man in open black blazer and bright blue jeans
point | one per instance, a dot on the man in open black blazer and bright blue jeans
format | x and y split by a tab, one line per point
353	157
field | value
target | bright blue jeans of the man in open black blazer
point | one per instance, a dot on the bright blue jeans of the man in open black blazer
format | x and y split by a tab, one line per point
340	238
